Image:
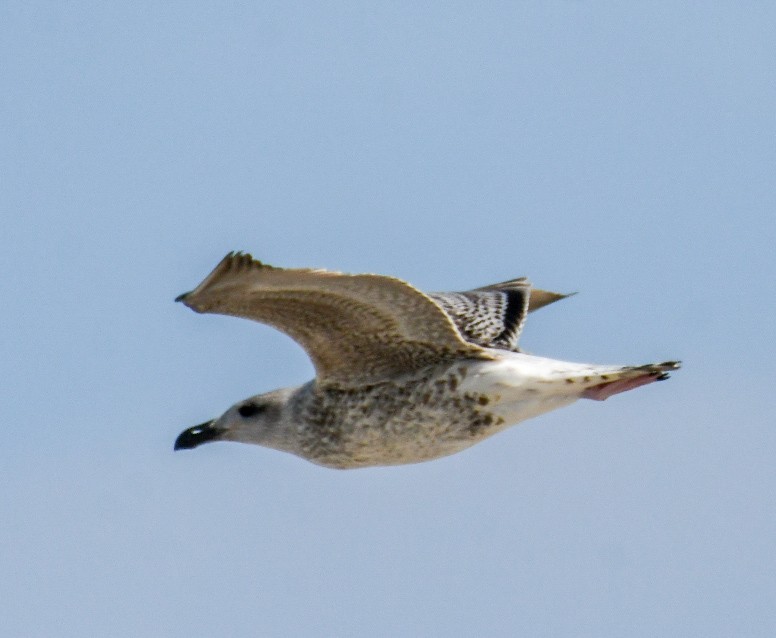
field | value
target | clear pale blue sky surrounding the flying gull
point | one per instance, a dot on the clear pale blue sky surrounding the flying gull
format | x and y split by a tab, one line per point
623	150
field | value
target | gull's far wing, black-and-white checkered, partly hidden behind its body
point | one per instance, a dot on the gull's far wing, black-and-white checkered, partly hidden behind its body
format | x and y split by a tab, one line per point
493	316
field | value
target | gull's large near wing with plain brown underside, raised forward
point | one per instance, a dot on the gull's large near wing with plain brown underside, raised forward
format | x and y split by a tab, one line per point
357	329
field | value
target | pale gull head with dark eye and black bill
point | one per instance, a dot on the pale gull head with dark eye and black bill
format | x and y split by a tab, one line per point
259	419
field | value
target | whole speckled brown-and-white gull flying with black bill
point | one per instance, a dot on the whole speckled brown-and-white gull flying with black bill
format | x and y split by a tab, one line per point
401	376
